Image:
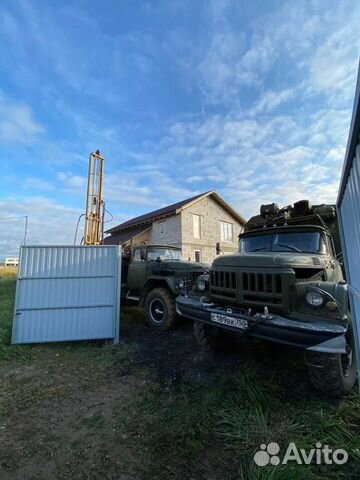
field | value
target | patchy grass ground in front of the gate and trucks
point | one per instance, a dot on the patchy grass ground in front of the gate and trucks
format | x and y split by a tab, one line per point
91	410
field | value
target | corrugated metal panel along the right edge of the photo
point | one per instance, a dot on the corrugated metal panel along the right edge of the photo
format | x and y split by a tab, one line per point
348	206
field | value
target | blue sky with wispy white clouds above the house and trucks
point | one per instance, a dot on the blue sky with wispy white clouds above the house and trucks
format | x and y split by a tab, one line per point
252	99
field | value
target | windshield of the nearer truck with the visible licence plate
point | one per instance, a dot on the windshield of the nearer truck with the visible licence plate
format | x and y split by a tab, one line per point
303	242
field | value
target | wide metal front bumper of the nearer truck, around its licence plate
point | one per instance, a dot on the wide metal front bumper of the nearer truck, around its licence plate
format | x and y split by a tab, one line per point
319	336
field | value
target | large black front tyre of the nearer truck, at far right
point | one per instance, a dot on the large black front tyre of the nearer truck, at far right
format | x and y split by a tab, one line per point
333	374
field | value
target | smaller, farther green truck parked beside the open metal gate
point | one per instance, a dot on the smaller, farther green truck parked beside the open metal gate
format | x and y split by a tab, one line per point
152	276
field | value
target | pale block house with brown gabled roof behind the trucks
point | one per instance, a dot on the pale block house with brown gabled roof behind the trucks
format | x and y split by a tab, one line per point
195	224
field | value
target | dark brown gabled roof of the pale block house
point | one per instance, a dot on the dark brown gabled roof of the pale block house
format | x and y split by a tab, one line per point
175	208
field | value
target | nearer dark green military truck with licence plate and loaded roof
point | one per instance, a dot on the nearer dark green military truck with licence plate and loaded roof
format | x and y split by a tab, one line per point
285	285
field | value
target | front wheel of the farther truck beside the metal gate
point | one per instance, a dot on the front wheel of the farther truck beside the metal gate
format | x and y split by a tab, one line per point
160	309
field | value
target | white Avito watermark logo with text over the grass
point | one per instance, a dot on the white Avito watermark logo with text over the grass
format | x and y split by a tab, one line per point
322	454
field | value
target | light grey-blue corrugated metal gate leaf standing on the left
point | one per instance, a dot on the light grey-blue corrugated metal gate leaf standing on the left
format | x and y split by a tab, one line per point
67	293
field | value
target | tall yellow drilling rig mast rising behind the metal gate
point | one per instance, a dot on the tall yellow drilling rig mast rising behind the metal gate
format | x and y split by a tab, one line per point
95	206
